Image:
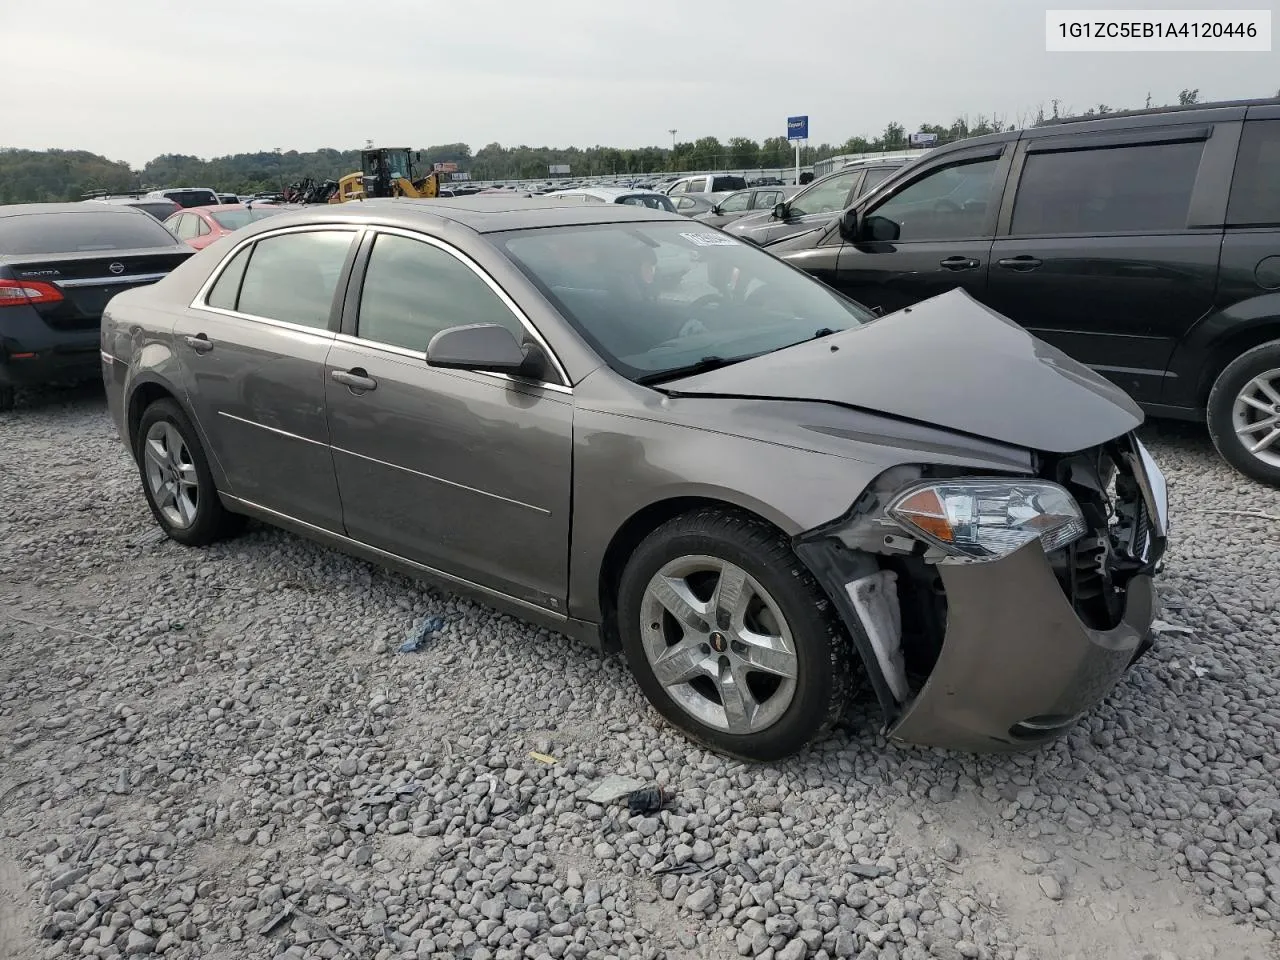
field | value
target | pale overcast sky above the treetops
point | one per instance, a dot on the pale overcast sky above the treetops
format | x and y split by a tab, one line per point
135	79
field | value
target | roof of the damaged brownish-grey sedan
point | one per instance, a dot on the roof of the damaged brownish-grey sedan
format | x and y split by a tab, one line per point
490	214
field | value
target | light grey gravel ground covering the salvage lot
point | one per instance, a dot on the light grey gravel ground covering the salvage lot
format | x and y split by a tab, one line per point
220	755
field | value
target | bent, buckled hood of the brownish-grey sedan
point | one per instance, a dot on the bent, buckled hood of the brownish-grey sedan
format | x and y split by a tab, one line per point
949	362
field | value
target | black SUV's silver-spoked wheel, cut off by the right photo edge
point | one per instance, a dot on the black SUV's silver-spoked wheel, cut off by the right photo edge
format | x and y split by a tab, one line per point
1245	413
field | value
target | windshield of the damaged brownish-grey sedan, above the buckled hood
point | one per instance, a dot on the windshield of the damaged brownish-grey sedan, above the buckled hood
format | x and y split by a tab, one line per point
657	299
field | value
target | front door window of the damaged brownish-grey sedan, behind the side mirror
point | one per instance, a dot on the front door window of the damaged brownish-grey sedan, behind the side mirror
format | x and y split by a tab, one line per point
413	291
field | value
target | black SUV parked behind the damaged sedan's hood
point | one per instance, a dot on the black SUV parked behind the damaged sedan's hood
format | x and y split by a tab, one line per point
1146	245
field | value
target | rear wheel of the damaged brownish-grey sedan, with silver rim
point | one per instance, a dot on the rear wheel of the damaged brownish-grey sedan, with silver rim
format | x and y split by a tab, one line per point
177	481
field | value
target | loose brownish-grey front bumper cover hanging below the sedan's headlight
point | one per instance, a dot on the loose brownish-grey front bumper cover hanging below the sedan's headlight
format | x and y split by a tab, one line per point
1018	666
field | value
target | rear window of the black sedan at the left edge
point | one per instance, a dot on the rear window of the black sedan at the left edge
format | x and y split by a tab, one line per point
75	234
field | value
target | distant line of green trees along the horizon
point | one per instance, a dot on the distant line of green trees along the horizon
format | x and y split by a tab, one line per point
29	176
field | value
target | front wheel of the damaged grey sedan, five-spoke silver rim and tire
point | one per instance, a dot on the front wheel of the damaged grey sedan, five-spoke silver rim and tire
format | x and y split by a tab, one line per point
732	638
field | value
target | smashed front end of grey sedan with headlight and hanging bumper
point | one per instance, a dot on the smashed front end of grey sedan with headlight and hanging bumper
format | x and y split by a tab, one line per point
994	611
